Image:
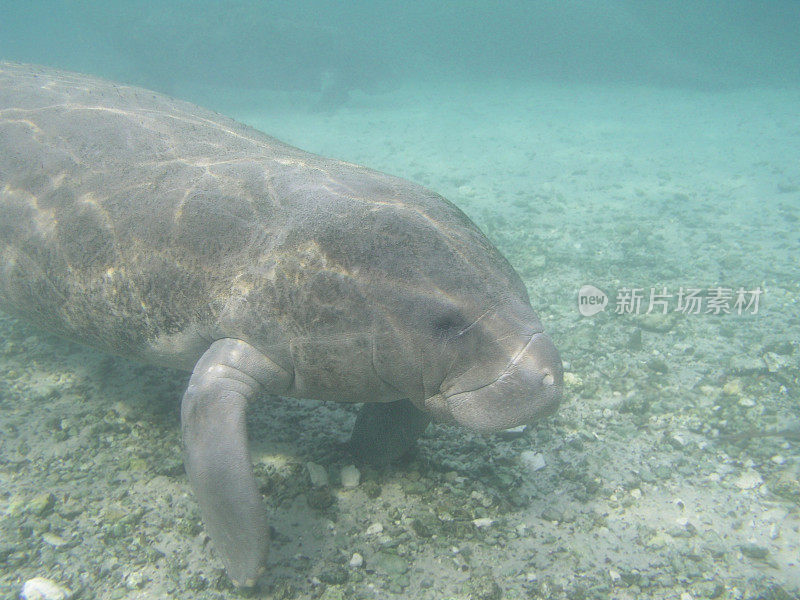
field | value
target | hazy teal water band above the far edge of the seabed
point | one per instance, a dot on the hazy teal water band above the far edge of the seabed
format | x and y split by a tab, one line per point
289	45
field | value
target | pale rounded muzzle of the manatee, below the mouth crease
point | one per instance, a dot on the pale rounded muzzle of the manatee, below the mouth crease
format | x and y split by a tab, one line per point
528	388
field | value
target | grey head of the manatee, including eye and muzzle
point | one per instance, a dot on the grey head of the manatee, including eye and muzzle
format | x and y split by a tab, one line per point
452	328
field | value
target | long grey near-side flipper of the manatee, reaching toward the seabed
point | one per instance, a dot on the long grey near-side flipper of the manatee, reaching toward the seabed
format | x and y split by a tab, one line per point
216	455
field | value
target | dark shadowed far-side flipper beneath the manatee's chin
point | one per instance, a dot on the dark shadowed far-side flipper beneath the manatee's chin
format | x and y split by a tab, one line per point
385	431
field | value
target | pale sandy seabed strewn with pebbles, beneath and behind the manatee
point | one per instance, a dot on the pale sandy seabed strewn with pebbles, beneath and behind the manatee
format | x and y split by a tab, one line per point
655	479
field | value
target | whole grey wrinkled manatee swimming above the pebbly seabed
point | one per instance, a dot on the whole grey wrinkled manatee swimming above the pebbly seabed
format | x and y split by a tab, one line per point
158	230
